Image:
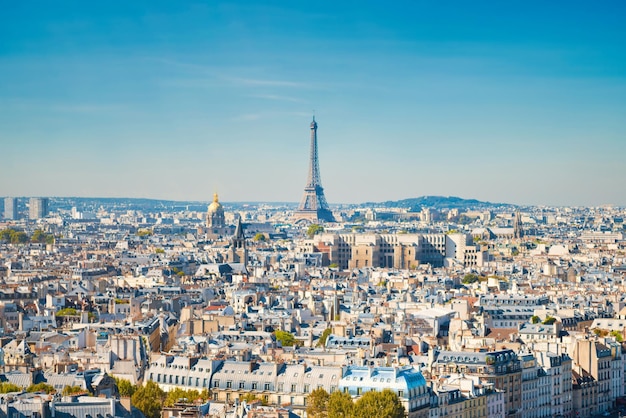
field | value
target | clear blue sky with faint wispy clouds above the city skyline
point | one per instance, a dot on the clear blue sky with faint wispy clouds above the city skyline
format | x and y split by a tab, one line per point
518	102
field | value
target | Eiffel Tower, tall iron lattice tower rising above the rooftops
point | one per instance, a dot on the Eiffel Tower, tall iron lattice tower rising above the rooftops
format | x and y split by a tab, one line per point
313	207
